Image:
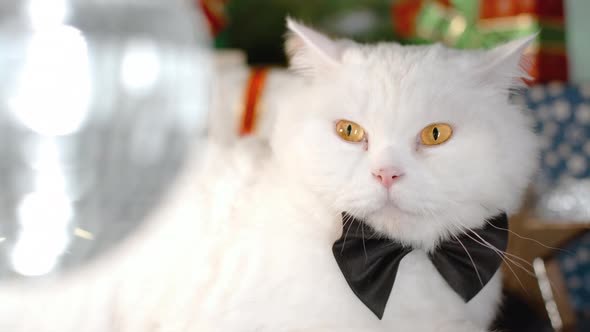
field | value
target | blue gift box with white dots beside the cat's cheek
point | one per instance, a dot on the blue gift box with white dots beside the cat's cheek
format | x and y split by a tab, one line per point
562	118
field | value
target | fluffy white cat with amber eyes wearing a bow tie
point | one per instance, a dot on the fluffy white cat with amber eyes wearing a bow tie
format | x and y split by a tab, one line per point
247	246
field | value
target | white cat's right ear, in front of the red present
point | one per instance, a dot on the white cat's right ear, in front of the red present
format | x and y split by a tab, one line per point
506	66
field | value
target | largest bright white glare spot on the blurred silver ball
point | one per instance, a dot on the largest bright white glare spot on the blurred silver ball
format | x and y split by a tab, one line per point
53	91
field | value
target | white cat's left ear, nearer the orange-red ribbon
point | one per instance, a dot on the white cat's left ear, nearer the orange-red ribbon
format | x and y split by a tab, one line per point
309	51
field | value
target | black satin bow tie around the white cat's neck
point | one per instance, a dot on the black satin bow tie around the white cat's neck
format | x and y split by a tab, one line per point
369	261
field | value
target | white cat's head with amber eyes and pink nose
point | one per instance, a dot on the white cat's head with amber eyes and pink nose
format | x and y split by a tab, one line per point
418	141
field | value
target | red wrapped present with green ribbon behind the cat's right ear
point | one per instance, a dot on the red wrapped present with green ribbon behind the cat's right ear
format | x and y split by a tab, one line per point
484	24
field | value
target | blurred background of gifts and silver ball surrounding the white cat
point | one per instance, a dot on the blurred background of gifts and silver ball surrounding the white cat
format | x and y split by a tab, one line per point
102	100
